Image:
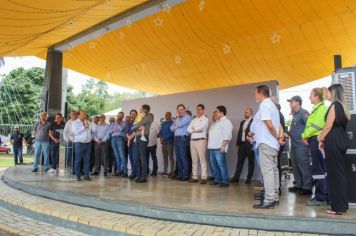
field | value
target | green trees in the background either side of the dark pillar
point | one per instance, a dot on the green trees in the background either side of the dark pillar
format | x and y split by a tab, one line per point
21	89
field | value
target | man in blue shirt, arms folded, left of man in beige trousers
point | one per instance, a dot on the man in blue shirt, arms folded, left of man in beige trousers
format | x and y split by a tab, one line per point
179	128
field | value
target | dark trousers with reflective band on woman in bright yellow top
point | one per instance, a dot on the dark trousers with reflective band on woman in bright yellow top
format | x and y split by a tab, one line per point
318	171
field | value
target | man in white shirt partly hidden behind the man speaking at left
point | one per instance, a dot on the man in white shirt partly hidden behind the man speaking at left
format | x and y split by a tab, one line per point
68	138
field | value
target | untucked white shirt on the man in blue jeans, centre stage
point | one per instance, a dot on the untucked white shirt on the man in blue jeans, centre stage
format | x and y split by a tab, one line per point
219	132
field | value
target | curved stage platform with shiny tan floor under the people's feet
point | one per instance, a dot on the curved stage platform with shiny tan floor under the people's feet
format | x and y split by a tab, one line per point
163	198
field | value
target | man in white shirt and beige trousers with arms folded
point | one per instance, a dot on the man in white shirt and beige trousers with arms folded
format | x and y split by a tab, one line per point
198	130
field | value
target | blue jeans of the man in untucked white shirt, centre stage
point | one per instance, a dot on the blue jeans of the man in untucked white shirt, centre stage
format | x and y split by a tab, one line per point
219	166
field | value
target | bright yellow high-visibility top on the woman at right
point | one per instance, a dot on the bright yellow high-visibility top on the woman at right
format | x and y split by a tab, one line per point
316	121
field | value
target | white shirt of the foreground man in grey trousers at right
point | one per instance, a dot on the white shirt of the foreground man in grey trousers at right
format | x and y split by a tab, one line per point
266	111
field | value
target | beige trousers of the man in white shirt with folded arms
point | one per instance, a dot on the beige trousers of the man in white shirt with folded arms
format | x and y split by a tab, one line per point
198	152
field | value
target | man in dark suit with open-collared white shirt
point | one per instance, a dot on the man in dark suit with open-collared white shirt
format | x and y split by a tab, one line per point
244	148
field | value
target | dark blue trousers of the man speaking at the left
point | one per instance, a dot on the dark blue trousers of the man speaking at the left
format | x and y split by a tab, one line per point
82	151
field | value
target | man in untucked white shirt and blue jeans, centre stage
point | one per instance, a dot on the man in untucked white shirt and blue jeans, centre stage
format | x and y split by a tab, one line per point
218	143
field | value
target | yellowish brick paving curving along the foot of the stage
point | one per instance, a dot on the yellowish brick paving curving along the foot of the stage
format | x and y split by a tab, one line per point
16	224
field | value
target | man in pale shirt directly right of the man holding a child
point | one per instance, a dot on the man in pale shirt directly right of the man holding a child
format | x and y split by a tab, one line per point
152	146
